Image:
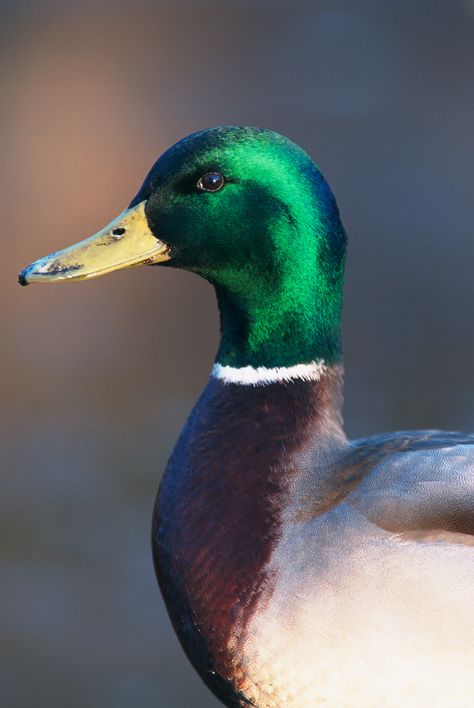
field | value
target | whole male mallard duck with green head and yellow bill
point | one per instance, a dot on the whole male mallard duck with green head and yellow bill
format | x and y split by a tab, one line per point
299	569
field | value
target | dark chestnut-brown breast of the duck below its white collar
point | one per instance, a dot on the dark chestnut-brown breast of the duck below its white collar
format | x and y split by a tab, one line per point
218	514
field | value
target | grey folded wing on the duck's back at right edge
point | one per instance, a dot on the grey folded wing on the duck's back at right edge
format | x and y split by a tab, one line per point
417	484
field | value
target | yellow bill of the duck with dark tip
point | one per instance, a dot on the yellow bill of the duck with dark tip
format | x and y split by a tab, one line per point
126	242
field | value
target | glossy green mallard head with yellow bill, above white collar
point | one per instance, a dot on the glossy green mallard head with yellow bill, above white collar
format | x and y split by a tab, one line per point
248	210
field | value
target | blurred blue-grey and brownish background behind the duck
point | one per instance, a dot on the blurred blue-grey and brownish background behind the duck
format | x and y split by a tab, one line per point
98	378
